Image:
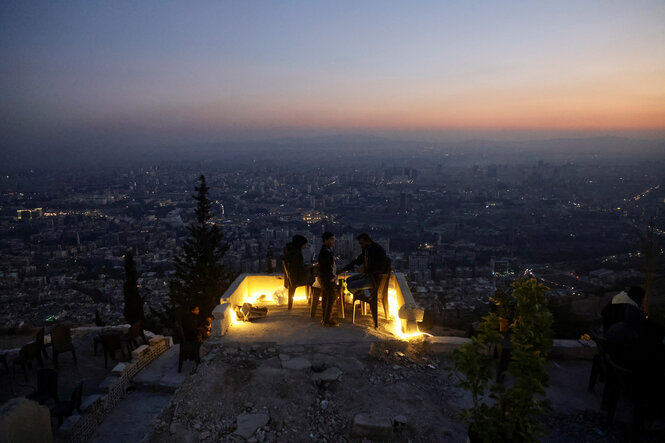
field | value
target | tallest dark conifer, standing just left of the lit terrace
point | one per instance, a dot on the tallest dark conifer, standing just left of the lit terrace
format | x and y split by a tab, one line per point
200	277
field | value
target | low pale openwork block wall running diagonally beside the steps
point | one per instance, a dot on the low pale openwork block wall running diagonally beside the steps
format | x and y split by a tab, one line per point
95	408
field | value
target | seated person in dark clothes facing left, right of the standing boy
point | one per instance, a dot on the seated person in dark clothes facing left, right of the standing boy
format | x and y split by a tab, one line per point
372	262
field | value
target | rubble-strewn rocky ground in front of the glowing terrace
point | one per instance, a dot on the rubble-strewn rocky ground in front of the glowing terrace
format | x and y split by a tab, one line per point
334	392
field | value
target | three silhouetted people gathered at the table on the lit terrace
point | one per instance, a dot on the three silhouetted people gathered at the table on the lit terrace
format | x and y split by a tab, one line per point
372	262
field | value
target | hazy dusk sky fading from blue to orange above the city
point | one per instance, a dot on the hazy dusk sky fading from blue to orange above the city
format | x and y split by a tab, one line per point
163	71
